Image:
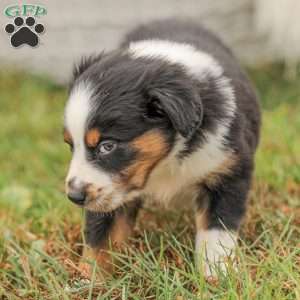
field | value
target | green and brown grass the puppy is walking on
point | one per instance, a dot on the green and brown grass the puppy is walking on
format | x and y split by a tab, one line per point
40	235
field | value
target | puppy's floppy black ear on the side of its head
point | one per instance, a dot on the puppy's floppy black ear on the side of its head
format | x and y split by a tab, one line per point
180	102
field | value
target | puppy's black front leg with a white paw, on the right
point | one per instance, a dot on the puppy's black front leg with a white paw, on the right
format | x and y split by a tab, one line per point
218	218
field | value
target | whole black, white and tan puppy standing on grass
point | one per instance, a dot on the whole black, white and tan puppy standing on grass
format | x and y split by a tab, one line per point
168	115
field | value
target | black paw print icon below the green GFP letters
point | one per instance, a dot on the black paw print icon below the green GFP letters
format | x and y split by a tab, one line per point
24	32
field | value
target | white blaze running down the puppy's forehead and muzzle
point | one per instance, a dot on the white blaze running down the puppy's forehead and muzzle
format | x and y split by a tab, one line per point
77	112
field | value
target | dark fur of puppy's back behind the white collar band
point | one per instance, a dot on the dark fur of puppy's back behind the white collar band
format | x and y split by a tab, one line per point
187	32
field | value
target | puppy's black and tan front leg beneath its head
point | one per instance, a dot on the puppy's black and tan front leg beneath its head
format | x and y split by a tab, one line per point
104	232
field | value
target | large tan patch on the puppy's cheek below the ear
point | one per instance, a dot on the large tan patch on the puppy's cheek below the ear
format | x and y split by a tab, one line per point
151	147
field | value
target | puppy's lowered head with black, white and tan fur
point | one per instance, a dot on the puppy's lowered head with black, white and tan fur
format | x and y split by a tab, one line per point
122	118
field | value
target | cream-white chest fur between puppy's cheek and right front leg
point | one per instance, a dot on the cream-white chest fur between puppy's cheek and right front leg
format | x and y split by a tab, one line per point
180	179
